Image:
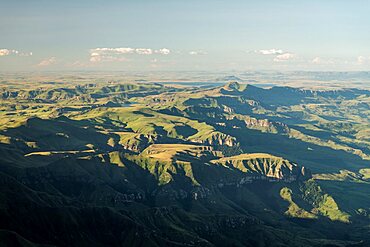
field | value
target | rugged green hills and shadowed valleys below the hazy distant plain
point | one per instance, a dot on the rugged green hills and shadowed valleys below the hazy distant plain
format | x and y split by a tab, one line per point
145	164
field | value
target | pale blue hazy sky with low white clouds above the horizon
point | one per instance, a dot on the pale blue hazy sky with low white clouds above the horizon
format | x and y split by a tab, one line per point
187	35
